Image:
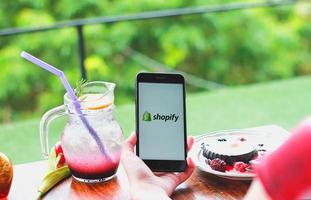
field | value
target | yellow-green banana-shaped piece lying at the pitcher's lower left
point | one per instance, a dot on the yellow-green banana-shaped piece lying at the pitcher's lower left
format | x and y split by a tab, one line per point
52	178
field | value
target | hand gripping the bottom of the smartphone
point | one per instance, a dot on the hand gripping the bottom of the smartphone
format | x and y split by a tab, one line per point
145	184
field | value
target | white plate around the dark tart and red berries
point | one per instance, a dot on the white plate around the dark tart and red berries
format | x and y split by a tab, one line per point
271	136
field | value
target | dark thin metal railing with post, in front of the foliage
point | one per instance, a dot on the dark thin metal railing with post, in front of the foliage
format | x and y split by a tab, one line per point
80	23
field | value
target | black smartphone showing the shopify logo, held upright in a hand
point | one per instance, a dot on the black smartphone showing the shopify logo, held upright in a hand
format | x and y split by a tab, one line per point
161	121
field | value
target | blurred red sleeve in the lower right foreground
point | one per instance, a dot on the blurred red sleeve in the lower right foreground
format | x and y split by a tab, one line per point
286	173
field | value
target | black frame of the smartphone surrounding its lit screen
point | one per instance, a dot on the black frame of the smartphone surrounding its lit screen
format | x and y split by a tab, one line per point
162	165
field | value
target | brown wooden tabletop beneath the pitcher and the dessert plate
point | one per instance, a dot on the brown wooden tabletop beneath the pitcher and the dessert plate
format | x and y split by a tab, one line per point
199	186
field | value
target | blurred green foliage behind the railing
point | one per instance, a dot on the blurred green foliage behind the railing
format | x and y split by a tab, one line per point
236	47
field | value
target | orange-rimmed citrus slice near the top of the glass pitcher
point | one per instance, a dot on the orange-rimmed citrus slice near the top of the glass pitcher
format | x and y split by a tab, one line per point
95	101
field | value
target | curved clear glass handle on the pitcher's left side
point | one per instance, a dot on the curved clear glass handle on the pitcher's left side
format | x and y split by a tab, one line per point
46	119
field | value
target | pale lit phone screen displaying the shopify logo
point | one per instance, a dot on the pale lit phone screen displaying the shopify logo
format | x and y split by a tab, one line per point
161	121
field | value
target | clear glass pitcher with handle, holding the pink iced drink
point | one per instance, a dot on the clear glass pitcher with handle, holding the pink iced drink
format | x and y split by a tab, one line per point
82	153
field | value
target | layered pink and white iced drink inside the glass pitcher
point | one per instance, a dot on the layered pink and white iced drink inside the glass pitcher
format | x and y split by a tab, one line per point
85	160
